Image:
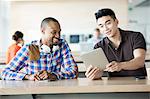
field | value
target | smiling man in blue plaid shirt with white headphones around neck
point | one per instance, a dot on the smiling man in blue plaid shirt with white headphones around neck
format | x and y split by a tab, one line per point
49	58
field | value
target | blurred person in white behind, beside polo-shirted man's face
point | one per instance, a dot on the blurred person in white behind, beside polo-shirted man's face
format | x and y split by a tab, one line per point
97	36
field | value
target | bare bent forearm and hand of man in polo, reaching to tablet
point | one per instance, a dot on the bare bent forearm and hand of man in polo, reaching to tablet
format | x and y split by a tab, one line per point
133	64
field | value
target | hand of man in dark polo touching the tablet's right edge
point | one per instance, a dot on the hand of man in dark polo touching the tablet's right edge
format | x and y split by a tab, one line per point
113	66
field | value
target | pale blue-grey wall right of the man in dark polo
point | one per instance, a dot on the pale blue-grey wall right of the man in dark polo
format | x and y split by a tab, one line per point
139	20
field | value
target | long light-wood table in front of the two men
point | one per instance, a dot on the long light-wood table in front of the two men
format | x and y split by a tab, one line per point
81	88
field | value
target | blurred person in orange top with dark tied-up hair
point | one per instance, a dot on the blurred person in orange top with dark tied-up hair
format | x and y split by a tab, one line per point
15	47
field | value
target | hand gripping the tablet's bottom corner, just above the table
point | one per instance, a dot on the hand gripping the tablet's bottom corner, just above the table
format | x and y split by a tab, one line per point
93	72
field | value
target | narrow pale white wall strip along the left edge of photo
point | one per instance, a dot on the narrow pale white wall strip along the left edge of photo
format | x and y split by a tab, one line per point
4	28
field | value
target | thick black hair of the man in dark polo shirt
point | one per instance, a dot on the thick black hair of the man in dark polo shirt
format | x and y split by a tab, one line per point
105	12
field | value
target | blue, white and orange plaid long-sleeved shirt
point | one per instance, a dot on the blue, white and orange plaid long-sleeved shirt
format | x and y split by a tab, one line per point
60	62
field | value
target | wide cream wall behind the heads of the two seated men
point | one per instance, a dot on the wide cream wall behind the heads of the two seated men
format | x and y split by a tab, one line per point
75	16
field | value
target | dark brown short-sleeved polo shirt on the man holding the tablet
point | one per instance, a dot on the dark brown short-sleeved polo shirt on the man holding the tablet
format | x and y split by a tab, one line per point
129	42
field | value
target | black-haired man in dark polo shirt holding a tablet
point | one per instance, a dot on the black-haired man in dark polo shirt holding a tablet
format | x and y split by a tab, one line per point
124	49
